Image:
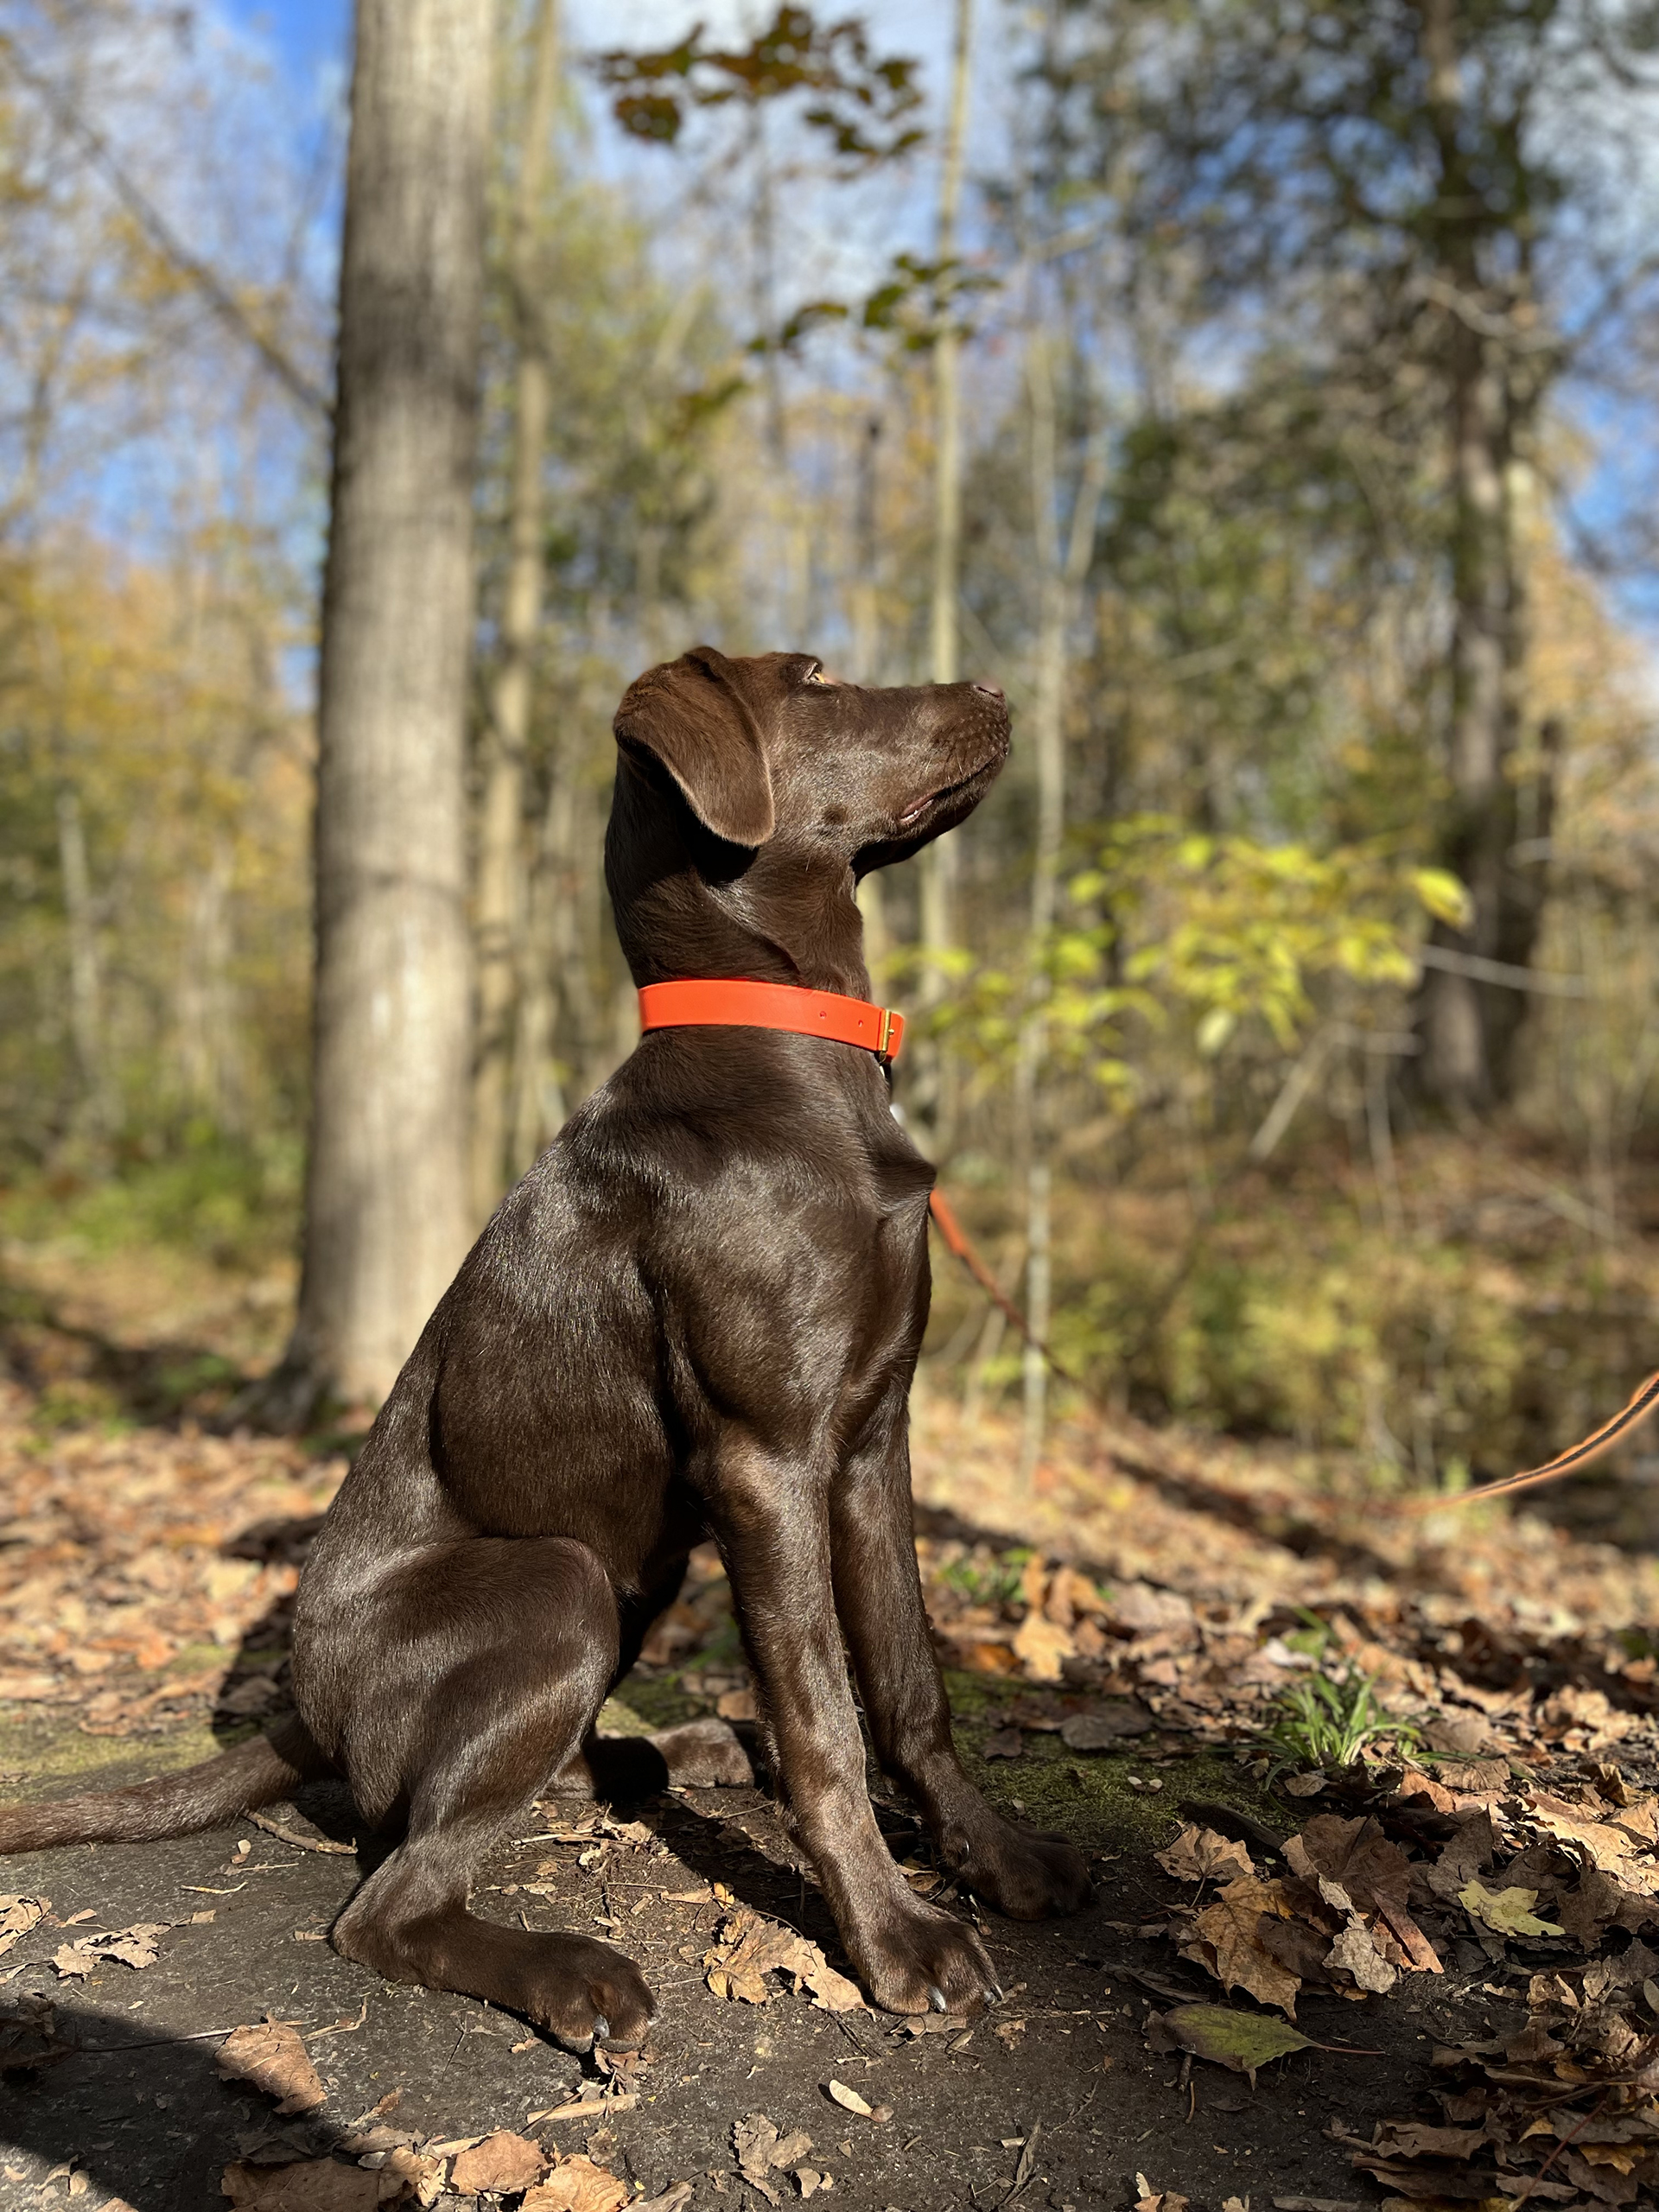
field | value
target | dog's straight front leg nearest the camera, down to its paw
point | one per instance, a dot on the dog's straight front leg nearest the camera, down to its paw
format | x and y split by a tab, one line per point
771	1519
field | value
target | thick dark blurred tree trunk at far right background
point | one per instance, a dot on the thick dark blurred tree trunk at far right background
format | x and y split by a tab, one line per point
1470	1023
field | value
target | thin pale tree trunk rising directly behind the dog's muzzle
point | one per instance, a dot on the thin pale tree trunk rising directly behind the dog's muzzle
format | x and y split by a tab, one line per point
939	862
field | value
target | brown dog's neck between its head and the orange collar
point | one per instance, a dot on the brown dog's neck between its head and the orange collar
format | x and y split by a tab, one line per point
687	904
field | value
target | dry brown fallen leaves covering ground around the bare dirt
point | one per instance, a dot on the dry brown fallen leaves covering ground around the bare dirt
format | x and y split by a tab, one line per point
1158	1596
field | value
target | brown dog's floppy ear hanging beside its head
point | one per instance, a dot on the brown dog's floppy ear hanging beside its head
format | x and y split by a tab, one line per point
693	718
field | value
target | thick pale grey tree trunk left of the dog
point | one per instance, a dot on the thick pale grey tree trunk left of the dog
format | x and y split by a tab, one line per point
386	1200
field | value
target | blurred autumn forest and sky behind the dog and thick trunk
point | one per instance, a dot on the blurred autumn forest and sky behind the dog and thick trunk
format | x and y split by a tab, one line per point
1264	395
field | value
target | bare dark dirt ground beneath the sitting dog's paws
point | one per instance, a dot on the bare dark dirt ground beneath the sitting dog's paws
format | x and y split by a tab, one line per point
1061	2069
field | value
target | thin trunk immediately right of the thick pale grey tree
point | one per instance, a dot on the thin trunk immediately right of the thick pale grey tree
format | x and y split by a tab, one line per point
501	904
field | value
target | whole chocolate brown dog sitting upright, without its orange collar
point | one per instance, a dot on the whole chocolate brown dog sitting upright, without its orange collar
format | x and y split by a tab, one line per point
698	1315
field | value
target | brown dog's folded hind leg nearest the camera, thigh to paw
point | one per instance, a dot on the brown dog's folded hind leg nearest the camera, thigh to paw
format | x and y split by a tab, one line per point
490	1665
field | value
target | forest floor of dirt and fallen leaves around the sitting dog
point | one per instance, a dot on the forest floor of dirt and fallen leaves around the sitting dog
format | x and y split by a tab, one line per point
1322	1970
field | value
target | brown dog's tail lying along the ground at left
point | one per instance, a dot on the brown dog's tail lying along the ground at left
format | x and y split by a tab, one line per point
218	1791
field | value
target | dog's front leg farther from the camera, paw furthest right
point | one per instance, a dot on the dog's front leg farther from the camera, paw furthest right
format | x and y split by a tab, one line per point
879	1596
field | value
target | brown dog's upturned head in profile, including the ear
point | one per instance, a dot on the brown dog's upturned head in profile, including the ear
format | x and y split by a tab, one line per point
773	751
